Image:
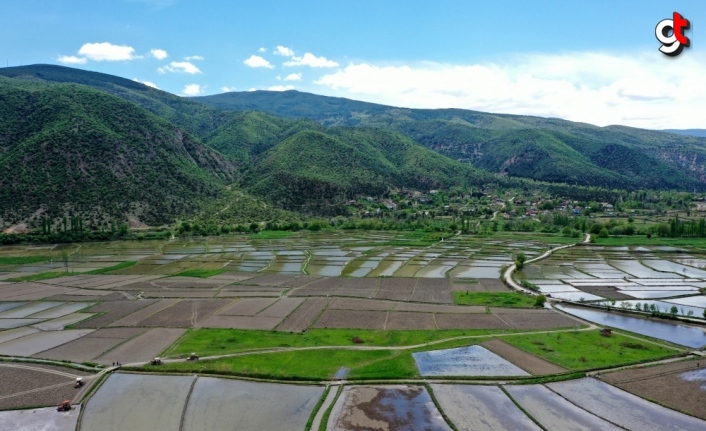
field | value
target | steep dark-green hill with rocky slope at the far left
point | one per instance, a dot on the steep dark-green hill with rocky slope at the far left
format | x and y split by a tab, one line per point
66	148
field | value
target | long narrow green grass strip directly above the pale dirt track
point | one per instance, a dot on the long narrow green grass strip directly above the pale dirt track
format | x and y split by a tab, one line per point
207	342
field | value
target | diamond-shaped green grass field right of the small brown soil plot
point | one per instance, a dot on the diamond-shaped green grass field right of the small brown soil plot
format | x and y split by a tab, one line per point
584	350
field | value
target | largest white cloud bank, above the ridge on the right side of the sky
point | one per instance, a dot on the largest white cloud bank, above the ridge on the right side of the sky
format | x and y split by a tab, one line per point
644	90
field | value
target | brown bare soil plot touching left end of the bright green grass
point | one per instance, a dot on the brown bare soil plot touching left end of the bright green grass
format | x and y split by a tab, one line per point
143	347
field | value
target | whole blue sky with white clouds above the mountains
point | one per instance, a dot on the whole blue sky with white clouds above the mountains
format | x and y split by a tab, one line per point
595	61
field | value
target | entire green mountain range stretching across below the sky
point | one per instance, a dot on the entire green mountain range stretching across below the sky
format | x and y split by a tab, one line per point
106	148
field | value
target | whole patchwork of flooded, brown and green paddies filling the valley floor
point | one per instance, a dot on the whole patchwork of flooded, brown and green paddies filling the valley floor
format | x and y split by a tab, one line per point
318	312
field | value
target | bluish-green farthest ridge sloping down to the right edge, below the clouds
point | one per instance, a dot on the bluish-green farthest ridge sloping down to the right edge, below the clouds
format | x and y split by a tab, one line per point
547	149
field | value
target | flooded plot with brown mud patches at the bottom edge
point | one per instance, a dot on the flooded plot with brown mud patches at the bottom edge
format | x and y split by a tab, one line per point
387	408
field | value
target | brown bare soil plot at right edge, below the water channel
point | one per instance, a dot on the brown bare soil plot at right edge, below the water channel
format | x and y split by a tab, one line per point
662	383
